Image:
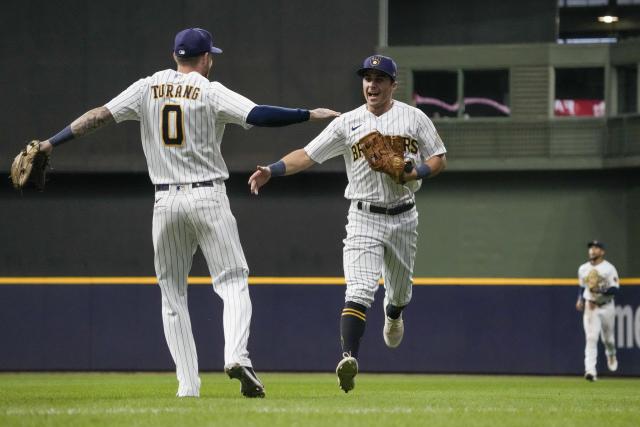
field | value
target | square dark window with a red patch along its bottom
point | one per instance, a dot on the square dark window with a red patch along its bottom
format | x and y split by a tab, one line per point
579	92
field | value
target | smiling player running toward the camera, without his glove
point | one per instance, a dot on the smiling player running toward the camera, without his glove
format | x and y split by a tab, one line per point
382	222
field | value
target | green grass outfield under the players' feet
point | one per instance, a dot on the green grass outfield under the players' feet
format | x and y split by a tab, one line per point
147	399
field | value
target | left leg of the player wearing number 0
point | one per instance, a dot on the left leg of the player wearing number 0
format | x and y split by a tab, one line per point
174	245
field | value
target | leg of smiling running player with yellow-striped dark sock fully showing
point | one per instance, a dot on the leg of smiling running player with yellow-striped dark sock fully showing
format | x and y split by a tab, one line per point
362	262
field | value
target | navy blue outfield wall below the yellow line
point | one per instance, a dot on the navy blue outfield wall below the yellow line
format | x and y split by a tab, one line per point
515	329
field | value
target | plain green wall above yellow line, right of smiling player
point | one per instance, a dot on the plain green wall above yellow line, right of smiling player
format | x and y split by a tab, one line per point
526	224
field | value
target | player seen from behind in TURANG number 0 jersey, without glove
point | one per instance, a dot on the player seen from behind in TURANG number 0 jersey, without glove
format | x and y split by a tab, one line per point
182	119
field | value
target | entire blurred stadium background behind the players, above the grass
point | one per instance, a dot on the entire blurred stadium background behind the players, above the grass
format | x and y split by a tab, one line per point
536	101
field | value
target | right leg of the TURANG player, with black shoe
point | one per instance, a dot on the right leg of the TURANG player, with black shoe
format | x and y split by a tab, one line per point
219	240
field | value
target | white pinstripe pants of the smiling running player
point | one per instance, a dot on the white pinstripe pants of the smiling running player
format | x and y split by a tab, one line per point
379	245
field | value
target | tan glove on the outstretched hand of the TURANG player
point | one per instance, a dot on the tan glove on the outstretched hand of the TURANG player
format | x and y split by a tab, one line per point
30	165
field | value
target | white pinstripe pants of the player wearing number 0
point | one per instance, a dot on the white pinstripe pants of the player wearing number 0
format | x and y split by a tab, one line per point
183	219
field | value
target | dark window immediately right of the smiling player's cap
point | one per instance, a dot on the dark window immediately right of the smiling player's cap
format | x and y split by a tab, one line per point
436	93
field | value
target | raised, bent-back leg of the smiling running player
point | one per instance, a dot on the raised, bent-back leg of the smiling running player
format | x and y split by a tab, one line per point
399	259
